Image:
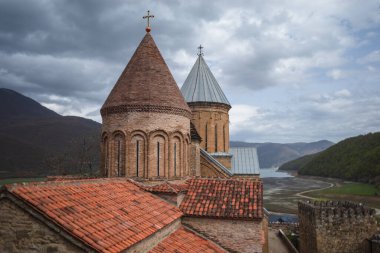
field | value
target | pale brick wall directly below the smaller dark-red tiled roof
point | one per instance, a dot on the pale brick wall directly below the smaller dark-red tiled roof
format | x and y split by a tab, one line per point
233	235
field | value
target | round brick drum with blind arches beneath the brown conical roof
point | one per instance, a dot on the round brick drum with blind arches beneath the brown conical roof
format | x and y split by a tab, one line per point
146	145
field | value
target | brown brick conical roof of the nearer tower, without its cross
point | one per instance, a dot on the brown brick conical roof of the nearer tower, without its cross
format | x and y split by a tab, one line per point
146	84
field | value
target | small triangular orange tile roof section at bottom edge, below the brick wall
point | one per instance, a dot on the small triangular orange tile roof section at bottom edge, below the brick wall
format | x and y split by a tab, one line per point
185	241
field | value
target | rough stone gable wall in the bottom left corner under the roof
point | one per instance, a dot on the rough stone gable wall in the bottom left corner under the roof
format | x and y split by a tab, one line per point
20	232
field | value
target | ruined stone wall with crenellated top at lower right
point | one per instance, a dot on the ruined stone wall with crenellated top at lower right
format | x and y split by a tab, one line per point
332	227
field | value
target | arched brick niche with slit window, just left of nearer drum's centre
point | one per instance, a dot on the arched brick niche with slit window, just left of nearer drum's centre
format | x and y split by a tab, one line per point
137	156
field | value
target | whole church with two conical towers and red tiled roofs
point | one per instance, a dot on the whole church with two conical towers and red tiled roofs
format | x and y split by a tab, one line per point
169	181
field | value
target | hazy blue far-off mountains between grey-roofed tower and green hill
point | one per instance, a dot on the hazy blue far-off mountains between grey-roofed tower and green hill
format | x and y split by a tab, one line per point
275	154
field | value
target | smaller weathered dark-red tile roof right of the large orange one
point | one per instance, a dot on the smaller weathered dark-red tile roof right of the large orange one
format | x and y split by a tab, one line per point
221	198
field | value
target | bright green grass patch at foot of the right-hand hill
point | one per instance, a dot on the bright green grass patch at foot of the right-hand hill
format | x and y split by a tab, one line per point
350	189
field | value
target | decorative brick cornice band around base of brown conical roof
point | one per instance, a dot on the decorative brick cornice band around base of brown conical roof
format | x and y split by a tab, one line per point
145	108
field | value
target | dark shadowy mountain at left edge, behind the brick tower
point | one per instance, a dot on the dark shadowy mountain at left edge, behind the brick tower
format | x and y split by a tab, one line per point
35	141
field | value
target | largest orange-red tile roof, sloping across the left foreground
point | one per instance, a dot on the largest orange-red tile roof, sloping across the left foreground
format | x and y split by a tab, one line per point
110	215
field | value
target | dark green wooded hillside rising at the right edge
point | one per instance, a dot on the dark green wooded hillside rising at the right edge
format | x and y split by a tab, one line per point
356	158
